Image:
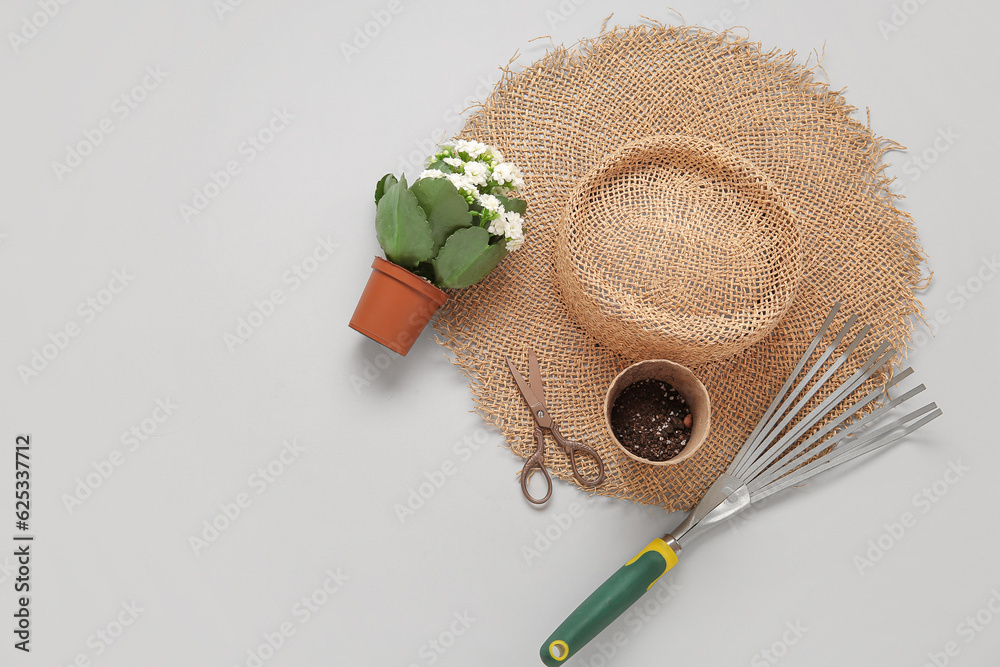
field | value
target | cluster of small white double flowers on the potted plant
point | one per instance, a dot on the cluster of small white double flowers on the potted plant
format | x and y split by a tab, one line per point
480	175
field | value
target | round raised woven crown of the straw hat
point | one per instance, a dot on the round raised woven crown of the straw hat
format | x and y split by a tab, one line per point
675	247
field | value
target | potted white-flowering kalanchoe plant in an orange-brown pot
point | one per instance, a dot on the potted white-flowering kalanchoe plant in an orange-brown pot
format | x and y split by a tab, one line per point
448	230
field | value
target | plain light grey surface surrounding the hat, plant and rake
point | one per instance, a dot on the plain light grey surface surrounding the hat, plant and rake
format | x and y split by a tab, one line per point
374	426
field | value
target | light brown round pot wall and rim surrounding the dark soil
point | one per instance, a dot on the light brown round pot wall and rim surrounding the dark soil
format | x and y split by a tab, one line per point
687	385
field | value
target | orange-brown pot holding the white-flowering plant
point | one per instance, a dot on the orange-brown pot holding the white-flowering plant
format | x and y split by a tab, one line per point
395	306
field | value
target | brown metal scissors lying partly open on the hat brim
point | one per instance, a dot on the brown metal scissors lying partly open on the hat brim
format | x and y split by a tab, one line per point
534	396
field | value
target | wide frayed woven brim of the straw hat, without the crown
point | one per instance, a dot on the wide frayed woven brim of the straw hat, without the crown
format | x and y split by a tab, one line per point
566	113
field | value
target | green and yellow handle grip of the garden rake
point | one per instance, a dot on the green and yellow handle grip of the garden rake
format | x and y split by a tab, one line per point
608	602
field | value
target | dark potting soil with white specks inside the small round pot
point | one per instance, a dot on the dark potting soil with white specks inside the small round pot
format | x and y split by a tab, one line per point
648	418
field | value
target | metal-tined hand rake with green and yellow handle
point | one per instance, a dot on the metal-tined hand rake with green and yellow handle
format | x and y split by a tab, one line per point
779	453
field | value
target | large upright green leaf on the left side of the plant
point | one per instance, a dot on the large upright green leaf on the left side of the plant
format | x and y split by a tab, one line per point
402	227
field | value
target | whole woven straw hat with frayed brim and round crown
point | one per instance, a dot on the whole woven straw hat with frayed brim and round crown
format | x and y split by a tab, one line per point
690	197
